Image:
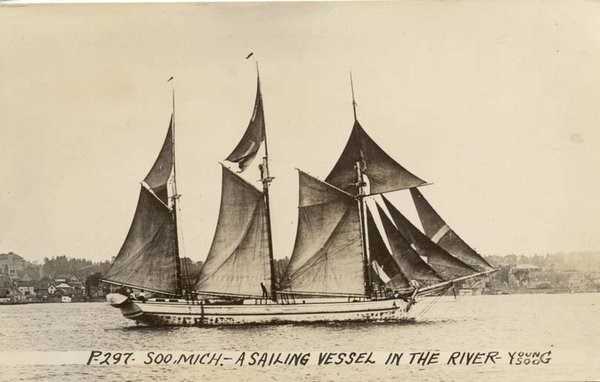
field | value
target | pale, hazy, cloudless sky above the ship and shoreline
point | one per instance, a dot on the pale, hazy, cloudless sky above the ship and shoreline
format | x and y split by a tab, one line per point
495	103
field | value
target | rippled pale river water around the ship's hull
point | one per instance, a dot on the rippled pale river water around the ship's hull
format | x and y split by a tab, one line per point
567	325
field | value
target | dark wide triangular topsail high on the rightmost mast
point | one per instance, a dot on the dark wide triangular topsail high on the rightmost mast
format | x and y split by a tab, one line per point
383	172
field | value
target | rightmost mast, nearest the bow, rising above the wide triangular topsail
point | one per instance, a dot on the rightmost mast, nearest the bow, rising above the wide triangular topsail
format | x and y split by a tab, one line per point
360	197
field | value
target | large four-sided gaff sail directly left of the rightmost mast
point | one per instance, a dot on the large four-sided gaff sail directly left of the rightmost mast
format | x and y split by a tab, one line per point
328	256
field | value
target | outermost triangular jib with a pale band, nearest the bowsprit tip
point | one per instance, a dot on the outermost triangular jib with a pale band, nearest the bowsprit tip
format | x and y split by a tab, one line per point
441	234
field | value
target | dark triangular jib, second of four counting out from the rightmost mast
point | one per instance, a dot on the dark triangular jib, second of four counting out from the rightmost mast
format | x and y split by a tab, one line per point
410	263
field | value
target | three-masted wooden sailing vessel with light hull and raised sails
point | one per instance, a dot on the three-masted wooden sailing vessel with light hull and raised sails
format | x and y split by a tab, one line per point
356	257
